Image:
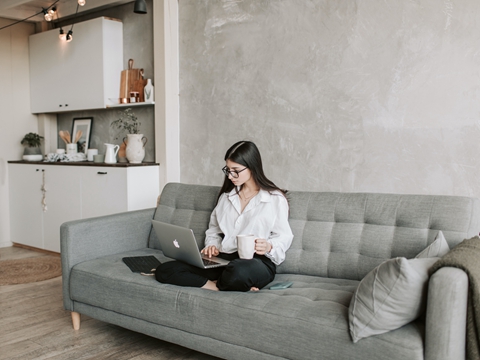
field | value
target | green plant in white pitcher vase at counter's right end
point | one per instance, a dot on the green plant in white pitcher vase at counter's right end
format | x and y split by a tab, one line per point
135	147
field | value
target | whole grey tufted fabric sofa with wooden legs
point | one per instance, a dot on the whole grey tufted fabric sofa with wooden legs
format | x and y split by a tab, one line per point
339	238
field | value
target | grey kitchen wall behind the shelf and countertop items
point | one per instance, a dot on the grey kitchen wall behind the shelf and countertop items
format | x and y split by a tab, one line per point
137	45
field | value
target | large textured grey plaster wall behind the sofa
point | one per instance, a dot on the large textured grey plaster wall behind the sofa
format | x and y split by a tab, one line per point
357	95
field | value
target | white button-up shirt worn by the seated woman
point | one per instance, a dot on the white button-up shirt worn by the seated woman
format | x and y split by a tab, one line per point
265	216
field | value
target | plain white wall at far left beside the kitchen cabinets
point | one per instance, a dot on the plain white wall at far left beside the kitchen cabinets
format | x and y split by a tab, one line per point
15	117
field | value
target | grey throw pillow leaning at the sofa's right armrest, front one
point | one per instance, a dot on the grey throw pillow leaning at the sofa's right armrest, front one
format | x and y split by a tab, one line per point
389	297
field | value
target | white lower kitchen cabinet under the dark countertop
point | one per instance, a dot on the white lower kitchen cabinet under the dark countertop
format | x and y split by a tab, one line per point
73	192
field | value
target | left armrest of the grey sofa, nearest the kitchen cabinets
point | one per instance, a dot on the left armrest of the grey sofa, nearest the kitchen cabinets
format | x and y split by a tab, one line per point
88	239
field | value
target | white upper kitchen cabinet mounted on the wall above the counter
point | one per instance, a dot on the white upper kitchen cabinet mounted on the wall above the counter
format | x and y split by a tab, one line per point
80	75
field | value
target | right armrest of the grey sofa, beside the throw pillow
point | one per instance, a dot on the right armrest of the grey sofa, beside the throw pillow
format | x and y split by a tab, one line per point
446	320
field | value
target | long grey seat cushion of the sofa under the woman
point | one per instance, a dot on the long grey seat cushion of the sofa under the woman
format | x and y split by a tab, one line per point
310	319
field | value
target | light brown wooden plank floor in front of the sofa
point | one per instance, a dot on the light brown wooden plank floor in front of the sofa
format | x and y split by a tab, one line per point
34	325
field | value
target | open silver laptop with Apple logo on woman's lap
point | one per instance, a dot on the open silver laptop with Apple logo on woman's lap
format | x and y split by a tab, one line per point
179	243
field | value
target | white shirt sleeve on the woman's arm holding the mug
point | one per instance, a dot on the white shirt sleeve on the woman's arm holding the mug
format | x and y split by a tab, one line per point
281	235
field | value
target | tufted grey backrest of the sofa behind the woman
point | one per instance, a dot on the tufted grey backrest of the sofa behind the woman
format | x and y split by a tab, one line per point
340	235
